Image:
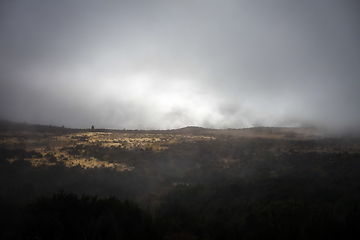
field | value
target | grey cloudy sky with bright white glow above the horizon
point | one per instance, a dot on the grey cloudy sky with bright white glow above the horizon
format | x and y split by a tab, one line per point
169	64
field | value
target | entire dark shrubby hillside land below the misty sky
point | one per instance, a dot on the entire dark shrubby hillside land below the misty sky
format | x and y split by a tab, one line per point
262	183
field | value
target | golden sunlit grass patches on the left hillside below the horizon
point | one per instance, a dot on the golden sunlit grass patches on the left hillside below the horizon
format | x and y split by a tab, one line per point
54	145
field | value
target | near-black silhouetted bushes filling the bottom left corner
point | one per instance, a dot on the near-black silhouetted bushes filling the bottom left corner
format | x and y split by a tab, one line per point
65	216
